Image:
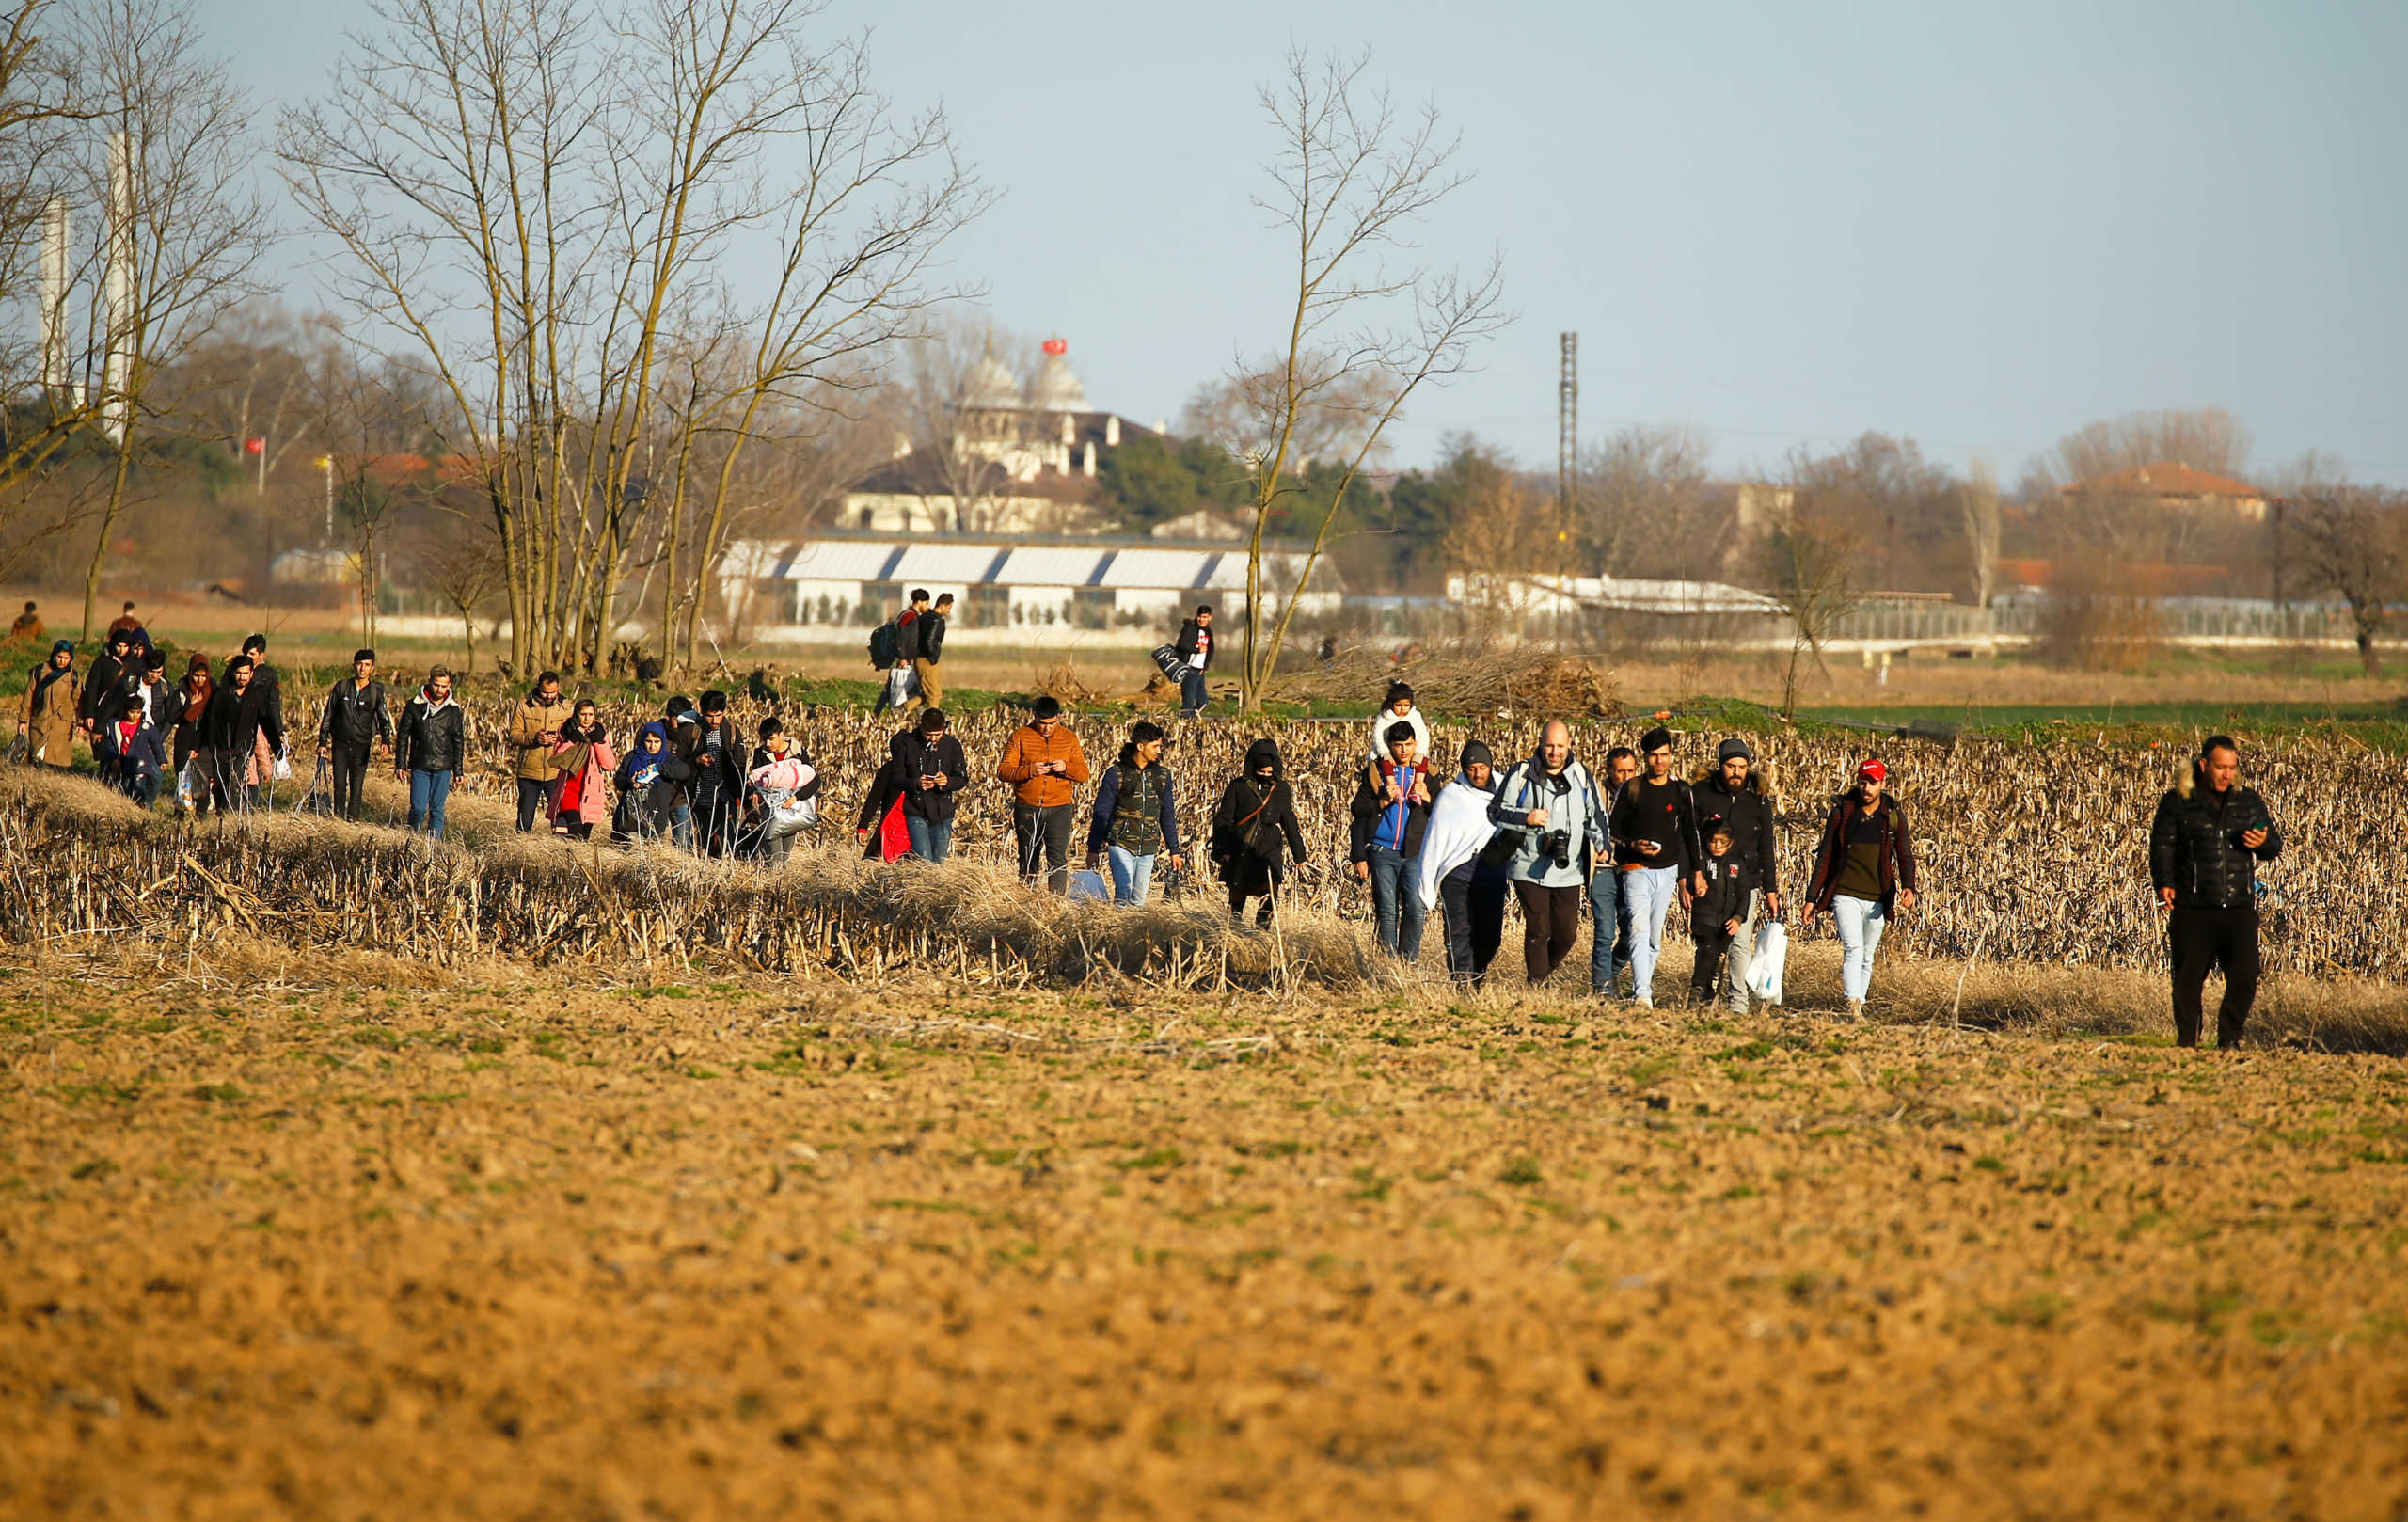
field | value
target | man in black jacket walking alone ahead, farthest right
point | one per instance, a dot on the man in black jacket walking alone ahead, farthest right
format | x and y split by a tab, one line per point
2202	859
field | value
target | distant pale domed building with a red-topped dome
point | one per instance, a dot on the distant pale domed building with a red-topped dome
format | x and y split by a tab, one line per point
1015	464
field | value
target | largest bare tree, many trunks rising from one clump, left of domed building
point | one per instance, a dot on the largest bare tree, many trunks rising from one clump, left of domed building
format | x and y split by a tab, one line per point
533	194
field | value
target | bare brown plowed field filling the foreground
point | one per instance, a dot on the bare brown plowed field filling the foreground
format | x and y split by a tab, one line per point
560	1251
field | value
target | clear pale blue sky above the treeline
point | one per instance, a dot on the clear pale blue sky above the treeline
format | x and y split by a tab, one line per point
1978	228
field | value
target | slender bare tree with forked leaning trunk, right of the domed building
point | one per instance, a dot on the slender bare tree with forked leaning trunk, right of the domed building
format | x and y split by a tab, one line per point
1350	184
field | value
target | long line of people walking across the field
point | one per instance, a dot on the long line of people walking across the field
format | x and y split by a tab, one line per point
1619	849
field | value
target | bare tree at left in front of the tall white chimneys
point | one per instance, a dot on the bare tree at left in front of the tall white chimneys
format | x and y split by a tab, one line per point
184	225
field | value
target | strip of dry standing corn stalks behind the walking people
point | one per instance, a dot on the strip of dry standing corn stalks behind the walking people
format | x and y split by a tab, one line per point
2029	856
